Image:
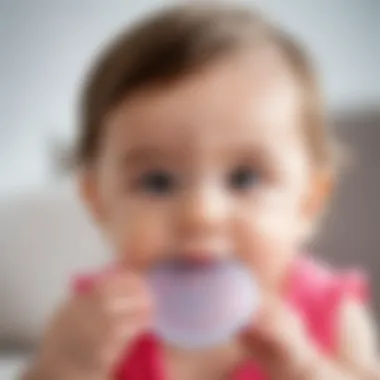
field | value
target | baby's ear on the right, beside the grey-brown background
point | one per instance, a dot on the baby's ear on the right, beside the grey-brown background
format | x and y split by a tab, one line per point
320	191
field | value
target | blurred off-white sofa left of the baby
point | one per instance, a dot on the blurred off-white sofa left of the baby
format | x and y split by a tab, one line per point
45	238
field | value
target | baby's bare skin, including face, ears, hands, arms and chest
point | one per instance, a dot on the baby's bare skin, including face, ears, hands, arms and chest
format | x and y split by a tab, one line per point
208	167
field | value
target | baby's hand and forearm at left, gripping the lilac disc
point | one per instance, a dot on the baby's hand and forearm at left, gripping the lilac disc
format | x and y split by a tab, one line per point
93	329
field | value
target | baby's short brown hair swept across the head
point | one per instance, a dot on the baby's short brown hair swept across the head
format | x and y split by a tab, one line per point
180	40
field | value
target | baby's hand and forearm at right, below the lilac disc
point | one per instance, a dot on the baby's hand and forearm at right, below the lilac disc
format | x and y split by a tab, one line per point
278	341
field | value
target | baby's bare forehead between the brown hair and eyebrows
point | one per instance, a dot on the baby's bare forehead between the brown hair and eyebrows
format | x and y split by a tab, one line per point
239	96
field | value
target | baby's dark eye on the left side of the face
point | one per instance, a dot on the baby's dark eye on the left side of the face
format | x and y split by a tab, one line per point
158	182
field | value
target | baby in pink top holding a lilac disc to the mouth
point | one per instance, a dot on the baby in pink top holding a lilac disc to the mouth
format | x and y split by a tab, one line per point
203	138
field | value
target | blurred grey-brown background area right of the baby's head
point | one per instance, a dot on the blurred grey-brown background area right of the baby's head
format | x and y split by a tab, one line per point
350	233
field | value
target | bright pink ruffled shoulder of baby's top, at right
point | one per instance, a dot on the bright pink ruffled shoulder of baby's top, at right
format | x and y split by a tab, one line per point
316	292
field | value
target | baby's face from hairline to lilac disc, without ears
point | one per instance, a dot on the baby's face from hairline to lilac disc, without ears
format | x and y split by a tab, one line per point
212	166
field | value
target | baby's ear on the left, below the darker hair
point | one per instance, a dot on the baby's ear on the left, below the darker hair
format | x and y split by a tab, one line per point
89	193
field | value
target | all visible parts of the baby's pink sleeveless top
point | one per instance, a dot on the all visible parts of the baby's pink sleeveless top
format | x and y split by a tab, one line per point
315	293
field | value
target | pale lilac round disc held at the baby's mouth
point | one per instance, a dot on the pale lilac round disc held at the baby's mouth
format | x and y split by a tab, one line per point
199	305
